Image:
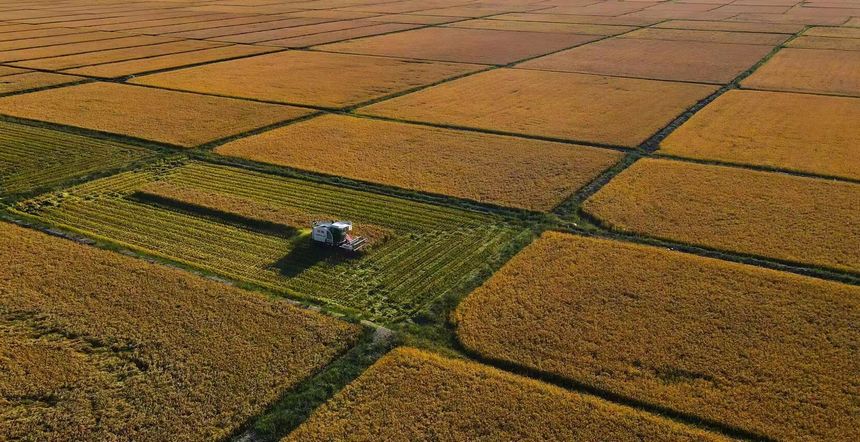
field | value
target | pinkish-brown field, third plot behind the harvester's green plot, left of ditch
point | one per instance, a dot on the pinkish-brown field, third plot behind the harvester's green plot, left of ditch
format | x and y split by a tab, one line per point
699	61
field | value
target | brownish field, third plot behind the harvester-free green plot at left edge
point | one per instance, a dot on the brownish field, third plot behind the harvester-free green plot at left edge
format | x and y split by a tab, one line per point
462	45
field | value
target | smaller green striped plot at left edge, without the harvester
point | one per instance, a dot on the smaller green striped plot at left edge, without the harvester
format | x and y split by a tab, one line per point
33	157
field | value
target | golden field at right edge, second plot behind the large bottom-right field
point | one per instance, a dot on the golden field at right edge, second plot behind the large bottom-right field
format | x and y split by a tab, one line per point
800	132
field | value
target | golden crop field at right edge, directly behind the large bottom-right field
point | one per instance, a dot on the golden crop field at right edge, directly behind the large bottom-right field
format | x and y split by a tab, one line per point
795	219
